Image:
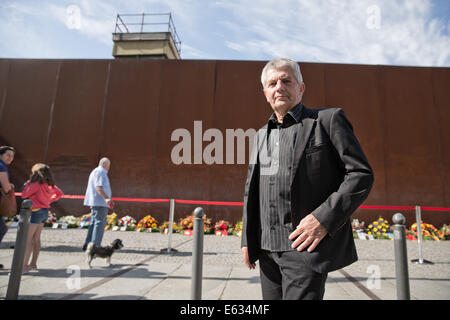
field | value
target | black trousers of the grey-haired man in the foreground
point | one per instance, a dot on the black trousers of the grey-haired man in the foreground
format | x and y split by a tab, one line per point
284	275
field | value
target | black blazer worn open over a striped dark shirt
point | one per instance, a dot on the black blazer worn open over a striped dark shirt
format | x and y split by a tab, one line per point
332	178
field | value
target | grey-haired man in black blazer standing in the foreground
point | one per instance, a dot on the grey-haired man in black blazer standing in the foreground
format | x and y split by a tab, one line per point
308	175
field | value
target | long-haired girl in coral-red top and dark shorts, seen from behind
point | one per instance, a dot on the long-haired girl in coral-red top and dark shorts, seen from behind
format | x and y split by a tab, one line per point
41	190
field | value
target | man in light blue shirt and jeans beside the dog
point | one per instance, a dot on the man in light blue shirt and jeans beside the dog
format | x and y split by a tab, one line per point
98	198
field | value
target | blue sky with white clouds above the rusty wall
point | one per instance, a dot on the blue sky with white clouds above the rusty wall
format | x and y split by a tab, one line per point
388	32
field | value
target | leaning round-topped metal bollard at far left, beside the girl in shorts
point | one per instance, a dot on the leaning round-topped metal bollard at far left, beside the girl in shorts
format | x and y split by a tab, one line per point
19	251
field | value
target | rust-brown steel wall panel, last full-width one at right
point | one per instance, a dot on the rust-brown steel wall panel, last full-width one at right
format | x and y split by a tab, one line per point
413	159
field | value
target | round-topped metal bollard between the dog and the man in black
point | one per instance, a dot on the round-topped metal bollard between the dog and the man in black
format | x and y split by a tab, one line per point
197	255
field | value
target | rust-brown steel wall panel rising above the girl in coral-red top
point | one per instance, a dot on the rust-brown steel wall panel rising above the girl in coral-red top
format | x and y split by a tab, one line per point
26	112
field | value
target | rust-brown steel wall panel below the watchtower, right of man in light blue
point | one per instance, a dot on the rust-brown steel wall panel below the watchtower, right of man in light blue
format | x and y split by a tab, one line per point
130	130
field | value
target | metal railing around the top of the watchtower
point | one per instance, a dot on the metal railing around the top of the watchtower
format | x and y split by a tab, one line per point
137	23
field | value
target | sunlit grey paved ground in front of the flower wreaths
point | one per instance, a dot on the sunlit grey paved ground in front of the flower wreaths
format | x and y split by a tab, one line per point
141	272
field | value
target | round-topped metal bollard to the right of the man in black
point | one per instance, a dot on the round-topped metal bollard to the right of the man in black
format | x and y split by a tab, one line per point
401	258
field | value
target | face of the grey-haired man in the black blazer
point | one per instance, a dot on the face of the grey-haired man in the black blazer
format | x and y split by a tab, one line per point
282	90
